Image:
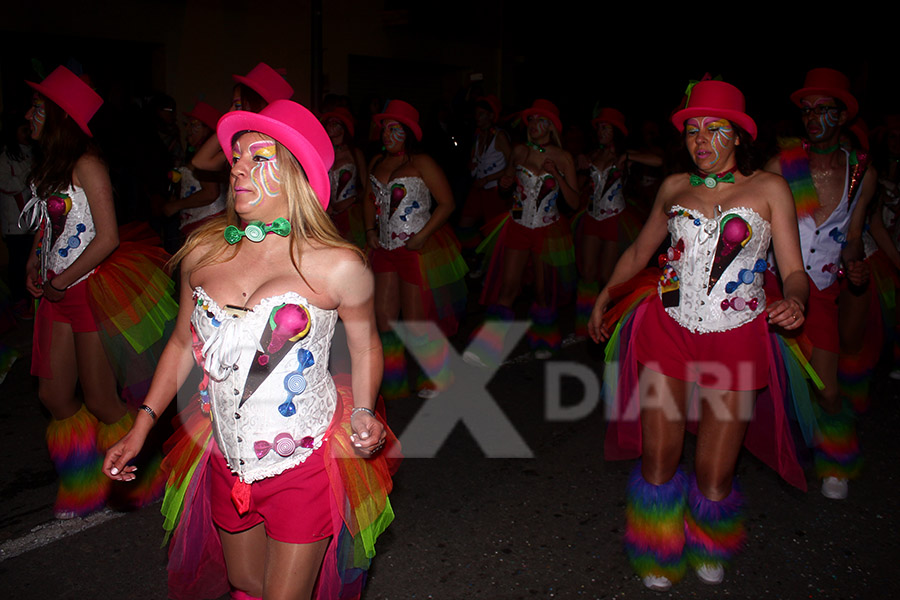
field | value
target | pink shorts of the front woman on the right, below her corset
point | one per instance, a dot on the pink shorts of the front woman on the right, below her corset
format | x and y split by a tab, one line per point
736	359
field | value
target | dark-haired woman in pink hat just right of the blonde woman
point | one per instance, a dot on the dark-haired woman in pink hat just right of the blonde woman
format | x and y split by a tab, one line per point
419	272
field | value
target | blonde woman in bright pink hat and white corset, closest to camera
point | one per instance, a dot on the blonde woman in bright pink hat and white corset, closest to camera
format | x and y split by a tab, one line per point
278	472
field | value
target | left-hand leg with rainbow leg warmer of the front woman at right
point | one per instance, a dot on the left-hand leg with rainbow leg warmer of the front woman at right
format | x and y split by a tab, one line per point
654	534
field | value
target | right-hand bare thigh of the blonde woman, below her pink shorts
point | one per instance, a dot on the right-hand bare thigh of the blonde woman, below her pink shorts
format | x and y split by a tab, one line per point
292	569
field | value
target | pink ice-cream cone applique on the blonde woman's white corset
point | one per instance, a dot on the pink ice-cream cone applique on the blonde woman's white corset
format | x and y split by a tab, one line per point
287	323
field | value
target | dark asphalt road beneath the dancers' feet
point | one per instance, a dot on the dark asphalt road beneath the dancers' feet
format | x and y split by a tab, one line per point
471	527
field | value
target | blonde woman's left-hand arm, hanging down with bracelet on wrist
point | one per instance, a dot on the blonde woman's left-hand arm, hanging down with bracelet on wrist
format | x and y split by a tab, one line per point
175	364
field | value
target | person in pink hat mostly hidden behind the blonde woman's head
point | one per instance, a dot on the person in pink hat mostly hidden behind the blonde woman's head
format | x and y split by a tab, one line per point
252	92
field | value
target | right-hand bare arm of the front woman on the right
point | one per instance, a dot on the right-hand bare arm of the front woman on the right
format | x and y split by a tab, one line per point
786	313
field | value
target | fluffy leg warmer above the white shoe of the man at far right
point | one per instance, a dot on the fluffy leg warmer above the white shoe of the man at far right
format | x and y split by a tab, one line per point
837	447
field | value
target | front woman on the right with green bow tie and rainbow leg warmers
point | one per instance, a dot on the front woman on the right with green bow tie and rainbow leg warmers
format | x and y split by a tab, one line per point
702	332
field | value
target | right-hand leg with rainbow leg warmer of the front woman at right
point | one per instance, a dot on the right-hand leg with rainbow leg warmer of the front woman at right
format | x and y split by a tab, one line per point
714	523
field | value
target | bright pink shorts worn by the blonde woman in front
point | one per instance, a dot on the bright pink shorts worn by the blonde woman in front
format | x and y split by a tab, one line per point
294	506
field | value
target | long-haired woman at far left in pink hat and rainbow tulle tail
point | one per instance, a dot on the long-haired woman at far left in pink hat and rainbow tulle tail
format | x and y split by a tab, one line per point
88	291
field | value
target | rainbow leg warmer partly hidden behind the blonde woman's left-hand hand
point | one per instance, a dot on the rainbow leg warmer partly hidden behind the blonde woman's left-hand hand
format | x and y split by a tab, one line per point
150	483
